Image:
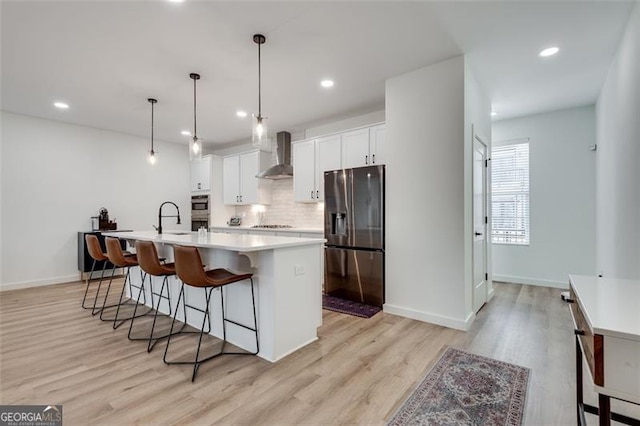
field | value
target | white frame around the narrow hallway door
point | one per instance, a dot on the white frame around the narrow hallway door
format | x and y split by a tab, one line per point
479	138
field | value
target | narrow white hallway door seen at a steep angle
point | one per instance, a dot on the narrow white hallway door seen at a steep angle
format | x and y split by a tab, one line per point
480	277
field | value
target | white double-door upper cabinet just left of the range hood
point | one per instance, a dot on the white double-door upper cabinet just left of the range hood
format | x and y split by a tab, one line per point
240	184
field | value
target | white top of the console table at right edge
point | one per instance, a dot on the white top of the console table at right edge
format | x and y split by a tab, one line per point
610	306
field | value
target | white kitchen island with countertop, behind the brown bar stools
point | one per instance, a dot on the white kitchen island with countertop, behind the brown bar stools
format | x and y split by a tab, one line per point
287	275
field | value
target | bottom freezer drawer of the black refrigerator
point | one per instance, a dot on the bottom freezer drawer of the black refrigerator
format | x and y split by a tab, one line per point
356	275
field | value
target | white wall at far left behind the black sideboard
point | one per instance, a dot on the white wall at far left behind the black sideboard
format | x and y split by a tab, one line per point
55	176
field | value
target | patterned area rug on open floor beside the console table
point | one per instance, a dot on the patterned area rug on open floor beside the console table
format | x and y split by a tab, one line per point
467	389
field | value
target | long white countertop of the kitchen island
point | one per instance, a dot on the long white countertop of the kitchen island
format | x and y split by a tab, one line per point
233	242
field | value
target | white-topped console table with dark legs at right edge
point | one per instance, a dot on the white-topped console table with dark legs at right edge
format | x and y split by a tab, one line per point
606	314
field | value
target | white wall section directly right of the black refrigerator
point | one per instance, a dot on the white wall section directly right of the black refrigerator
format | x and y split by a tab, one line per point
425	254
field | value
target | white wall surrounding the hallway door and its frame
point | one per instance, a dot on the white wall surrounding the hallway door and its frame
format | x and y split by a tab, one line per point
477	119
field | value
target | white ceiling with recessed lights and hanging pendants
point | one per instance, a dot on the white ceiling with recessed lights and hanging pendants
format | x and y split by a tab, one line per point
105	58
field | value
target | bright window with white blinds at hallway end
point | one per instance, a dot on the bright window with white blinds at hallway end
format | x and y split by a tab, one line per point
510	192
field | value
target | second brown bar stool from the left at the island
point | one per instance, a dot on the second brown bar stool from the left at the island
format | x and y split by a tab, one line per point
116	256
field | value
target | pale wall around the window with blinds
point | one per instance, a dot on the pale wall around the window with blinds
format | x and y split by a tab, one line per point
562	199
